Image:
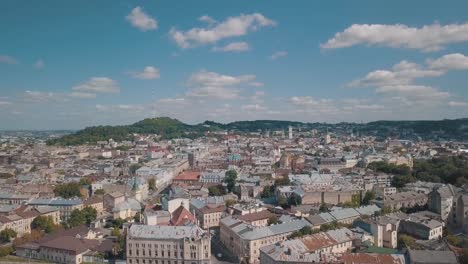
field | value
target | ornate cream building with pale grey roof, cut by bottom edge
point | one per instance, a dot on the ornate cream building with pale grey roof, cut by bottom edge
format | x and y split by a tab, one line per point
168	245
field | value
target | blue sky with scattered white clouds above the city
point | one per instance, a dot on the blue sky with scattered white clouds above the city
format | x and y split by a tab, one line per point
73	64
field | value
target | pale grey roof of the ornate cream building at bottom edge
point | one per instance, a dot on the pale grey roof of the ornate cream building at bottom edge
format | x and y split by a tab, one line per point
165	232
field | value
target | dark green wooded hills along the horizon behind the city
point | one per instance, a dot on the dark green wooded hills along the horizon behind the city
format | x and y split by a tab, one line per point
169	128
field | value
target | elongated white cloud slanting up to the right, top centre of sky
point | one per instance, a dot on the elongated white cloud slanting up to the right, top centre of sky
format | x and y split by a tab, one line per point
231	27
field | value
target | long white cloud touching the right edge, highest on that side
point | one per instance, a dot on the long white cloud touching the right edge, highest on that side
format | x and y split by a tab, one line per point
427	38
